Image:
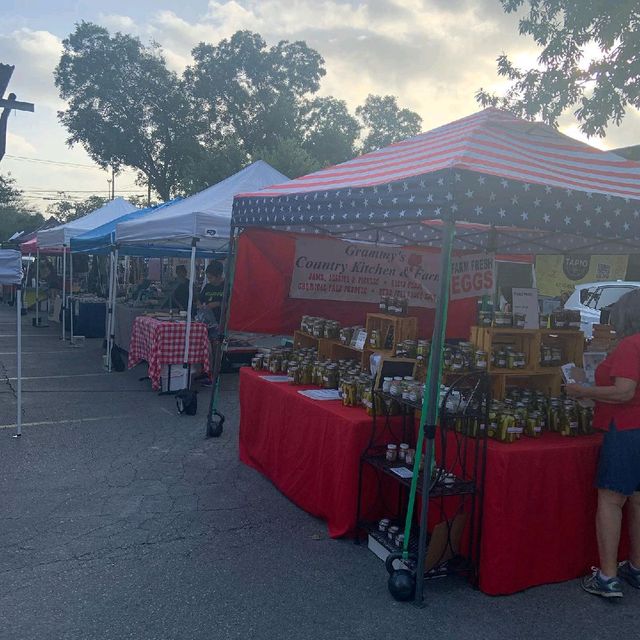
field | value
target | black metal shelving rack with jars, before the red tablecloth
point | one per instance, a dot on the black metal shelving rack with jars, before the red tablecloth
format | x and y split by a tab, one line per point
456	489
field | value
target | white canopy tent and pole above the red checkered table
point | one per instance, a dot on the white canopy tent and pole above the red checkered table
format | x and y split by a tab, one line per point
200	222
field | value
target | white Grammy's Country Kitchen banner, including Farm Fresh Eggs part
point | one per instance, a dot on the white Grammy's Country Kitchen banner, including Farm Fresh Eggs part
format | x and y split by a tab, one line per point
327	269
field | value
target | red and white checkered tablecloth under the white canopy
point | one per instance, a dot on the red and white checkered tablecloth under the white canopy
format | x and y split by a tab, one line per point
161	342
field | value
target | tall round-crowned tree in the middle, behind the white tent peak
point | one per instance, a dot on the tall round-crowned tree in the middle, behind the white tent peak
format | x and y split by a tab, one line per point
254	93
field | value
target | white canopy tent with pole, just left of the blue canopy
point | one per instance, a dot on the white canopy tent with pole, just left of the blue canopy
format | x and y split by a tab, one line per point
60	236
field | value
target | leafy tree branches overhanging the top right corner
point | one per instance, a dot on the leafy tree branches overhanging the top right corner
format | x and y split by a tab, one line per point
601	86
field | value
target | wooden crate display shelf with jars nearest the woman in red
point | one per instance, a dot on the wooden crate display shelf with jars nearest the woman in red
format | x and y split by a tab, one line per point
529	342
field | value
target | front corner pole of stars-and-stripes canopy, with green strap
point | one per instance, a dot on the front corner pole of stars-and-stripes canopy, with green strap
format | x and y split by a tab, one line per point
432	397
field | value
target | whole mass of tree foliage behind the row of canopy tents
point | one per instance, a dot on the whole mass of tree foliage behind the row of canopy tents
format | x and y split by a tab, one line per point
239	101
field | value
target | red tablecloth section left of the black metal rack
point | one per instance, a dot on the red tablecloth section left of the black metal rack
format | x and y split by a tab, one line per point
309	449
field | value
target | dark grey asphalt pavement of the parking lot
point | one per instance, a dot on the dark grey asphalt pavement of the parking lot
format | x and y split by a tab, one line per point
118	519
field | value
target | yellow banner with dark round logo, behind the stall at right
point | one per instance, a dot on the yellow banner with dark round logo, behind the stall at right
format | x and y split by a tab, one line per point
558	274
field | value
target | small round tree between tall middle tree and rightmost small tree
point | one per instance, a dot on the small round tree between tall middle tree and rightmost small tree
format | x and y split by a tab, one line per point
329	132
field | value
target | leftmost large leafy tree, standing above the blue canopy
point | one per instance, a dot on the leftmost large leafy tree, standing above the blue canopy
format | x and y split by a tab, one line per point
124	106
